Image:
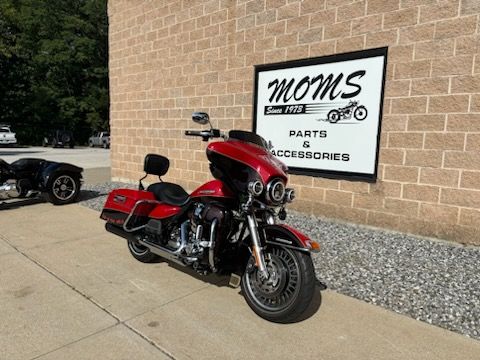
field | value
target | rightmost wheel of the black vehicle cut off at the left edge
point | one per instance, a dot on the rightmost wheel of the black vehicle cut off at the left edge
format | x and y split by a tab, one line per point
63	188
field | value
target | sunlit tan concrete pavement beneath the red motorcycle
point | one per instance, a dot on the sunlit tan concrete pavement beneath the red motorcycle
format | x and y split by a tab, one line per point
69	290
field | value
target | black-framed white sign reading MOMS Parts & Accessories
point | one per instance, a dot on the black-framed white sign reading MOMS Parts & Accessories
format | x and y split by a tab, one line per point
322	115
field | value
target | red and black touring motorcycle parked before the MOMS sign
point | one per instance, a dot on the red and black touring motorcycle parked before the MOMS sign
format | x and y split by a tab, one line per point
227	225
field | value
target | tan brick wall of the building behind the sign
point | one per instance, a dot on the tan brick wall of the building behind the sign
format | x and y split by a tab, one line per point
169	58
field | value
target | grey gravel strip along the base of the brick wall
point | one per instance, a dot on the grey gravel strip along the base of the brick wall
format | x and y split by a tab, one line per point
429	280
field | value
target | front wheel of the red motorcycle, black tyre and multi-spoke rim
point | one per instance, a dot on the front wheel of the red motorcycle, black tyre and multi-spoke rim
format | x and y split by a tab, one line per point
288	291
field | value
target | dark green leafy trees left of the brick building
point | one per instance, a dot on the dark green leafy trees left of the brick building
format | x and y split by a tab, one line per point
53	66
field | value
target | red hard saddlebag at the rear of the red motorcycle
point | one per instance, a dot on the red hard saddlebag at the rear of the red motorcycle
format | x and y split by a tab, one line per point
123	204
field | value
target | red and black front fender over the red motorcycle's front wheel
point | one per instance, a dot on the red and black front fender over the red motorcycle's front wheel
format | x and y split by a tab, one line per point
284	235
